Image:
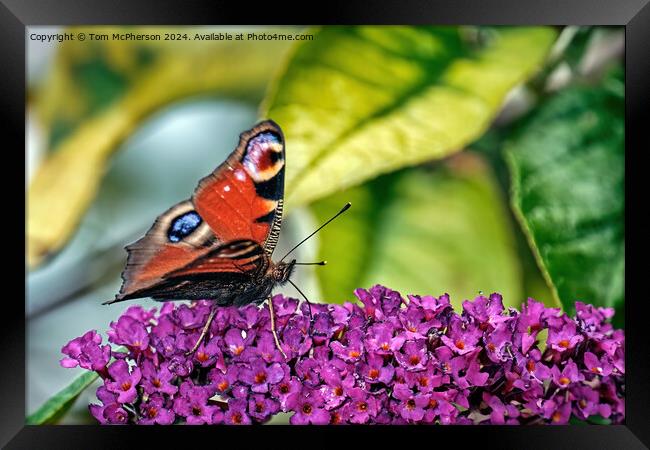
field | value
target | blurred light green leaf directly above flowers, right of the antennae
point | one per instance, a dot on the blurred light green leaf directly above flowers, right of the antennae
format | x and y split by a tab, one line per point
422	232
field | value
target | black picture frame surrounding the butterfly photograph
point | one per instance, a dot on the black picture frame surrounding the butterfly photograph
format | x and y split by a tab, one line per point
634	15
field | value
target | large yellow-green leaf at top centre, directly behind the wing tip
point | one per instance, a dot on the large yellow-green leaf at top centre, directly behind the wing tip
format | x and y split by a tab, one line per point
356	102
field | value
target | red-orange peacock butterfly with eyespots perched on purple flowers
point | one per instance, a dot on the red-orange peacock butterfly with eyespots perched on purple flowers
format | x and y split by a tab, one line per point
218	244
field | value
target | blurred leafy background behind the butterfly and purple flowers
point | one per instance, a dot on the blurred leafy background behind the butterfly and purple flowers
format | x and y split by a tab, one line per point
477	160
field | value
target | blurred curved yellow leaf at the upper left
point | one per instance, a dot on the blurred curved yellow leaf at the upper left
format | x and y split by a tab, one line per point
68	179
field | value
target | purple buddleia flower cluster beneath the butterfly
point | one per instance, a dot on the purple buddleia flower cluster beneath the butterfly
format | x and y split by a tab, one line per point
388	360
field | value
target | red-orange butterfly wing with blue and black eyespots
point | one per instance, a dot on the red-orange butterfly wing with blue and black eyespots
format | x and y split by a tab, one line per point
240	200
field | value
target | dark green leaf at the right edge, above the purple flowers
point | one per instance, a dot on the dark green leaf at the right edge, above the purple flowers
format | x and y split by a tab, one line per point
567	167
